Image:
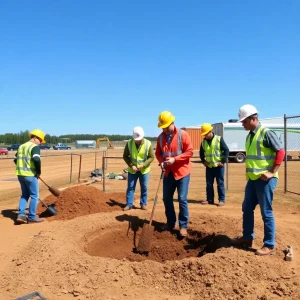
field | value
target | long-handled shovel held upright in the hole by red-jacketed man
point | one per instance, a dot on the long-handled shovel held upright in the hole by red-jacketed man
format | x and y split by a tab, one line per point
147	231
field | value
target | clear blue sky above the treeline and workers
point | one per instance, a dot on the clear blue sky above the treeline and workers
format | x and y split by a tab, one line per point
69	66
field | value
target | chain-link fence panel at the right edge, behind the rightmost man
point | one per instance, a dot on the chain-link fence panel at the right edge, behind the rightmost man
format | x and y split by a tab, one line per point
292	150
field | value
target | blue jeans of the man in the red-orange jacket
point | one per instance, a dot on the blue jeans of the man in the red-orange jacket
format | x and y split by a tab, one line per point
169	186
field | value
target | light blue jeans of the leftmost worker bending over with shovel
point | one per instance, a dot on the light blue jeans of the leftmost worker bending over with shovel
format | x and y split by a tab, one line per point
29	188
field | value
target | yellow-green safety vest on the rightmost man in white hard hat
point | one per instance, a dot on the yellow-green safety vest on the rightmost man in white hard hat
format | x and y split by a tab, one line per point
259	159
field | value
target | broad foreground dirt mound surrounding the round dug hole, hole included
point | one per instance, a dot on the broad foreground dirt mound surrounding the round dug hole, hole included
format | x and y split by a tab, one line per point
96	260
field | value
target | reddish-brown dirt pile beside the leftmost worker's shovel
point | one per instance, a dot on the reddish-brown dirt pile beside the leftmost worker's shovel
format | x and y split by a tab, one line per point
80	201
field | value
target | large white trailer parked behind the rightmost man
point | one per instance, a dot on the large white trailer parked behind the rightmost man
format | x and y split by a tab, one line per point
235	135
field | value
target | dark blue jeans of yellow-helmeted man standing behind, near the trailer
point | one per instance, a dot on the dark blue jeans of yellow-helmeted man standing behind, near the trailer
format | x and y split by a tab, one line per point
211	174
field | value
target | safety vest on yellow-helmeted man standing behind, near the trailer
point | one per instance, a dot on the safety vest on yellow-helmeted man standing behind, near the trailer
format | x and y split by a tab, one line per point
213	153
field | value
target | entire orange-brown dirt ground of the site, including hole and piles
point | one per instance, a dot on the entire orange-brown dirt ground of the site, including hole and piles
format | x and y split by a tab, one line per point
88	249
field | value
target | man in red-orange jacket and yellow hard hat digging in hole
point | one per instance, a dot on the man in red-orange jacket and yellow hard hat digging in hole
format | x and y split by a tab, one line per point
173	152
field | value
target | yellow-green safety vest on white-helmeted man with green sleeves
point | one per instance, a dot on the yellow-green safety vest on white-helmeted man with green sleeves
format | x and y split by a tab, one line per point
139	157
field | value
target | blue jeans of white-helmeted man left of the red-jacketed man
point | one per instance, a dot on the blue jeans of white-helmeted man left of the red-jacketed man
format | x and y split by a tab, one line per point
131	184
